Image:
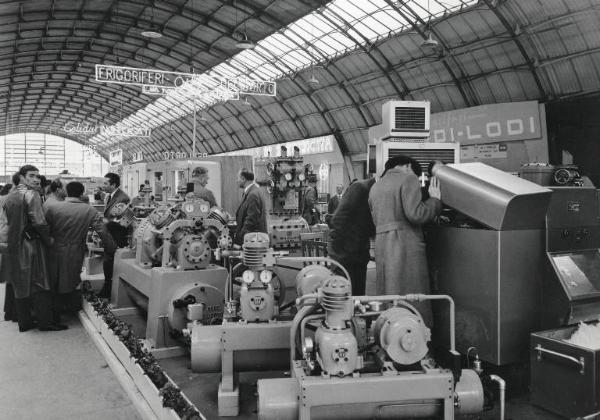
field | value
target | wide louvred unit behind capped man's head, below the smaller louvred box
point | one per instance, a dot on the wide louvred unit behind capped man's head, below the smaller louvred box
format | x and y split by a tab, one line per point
424	153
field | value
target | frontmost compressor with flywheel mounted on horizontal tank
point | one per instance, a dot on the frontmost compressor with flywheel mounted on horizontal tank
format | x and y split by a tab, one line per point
366	357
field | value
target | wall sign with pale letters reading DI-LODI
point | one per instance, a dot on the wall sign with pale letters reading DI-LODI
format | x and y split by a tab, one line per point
488	124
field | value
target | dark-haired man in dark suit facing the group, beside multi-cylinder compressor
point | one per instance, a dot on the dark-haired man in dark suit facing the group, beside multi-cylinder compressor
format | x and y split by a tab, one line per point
115	235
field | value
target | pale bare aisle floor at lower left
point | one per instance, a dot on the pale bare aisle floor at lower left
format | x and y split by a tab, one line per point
57	376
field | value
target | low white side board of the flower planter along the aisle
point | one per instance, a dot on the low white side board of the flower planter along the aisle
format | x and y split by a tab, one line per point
142	382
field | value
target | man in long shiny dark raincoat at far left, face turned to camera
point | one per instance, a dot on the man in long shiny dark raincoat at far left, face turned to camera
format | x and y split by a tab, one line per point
24	261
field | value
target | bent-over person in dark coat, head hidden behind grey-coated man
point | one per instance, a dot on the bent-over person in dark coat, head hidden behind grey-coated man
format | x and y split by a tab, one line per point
351	227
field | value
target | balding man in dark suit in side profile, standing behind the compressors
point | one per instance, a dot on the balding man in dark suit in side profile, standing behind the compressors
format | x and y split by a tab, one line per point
251	214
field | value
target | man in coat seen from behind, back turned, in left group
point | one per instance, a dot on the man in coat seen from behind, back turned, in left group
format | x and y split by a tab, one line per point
69	221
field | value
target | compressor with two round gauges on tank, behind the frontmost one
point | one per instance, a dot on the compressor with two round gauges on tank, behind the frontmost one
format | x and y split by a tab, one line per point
255	332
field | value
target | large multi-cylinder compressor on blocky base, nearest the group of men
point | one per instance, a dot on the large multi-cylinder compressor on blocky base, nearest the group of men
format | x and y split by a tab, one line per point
169	273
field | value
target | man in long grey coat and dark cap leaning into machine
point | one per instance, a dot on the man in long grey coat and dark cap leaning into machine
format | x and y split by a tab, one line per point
398	213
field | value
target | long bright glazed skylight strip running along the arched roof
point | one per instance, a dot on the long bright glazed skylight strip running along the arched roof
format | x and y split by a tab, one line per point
323	33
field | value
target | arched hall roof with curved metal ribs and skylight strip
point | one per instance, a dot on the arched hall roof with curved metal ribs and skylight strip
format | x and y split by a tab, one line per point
488	51
